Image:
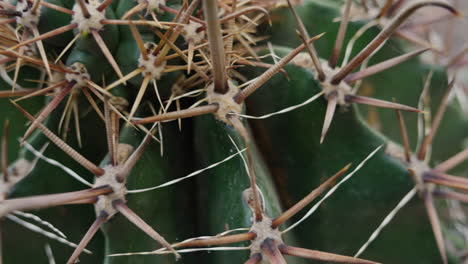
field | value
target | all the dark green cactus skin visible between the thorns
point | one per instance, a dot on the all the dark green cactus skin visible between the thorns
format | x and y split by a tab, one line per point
300	163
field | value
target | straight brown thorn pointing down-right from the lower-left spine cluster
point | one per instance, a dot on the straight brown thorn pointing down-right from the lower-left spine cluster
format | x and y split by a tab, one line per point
140	223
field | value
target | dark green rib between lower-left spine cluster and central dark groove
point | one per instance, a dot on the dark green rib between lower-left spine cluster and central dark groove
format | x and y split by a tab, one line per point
169	208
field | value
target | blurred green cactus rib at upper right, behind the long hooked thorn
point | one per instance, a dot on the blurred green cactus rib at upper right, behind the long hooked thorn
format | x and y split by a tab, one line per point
397	82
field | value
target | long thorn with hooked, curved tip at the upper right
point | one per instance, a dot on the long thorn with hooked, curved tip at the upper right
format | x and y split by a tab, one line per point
384	35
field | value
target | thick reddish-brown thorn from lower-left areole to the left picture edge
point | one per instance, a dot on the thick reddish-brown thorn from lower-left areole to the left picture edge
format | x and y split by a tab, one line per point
50	200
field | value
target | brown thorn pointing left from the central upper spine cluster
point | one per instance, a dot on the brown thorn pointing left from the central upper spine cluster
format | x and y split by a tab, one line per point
201	110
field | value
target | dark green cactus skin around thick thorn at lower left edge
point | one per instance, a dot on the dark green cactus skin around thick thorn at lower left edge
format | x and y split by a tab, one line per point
45	179
